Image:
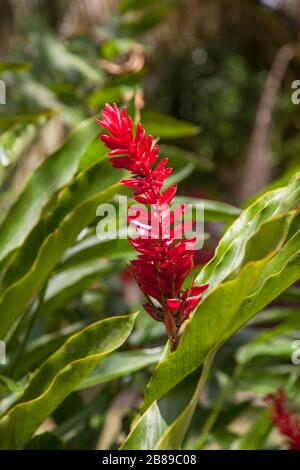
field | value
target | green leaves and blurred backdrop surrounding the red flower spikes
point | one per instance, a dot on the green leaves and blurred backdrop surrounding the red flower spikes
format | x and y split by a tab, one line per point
212	79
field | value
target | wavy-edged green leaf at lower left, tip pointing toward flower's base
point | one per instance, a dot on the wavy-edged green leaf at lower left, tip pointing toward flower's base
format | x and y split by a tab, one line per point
59	376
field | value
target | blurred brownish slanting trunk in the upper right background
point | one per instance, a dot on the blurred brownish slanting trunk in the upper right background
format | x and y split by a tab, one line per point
257	171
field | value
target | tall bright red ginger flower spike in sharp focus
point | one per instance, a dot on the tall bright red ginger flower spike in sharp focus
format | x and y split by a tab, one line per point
163	262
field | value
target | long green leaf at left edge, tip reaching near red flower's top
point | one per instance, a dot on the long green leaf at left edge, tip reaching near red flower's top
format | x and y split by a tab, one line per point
55	172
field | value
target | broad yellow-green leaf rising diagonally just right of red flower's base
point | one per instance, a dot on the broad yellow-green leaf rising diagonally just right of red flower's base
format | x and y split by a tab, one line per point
212	319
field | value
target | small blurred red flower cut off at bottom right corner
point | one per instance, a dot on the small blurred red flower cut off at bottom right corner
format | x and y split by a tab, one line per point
285	420
